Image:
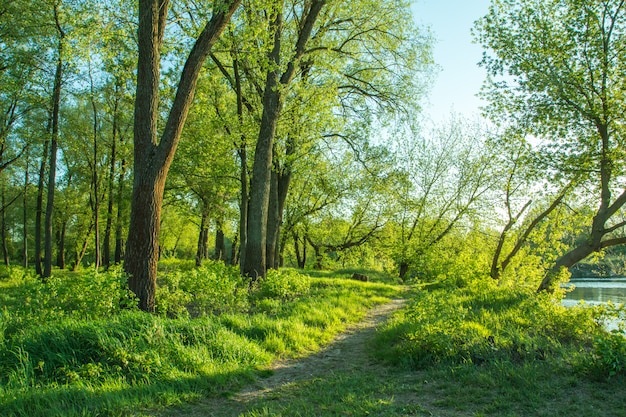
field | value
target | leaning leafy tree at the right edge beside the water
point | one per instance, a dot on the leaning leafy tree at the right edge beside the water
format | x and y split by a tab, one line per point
564	63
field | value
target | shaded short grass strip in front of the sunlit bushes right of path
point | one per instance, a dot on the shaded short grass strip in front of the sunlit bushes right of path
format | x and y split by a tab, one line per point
468	390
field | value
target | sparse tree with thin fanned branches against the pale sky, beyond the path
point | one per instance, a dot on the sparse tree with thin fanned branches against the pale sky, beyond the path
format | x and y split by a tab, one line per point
447	173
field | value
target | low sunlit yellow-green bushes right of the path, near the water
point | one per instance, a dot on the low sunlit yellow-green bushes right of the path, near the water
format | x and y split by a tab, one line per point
484	322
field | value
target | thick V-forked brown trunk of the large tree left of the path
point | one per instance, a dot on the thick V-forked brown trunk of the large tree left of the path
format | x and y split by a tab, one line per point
153	155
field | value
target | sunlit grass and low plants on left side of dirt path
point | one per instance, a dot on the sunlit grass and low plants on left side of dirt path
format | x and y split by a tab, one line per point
75	347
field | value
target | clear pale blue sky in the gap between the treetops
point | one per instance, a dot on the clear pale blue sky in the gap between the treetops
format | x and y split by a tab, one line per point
459	78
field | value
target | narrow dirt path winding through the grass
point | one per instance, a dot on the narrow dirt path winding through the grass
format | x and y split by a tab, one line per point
346	353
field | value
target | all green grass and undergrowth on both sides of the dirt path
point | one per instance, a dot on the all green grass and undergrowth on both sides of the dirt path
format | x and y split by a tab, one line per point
480	350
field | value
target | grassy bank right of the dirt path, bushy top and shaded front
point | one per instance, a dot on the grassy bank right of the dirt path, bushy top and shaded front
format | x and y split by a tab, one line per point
481	350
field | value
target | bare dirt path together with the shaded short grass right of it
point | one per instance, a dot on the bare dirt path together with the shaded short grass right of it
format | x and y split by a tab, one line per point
345	379
